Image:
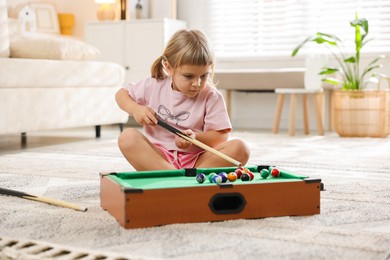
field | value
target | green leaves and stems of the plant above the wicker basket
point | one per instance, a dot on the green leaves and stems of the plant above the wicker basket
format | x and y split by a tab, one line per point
351	75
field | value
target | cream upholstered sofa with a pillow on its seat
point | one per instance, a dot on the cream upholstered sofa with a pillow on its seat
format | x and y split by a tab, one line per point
51	85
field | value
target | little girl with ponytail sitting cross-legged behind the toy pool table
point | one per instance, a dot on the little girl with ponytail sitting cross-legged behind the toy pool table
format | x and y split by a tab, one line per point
180	92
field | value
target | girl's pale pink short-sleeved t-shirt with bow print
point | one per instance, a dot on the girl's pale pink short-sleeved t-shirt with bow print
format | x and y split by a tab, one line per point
204	112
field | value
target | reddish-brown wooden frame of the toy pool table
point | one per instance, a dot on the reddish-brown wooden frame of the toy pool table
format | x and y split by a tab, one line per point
137	208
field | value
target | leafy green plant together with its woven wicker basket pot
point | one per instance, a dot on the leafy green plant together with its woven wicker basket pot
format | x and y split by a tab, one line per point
357	111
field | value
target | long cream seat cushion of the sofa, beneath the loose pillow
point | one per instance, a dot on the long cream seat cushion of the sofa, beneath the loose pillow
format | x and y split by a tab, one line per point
37	73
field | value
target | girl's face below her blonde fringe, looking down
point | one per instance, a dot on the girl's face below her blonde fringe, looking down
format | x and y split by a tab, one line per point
190	79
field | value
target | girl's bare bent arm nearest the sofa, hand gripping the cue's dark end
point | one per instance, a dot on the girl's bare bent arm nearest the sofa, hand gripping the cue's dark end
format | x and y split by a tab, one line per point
142	114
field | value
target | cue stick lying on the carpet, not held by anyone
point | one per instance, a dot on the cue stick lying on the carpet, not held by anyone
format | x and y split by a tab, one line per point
42	199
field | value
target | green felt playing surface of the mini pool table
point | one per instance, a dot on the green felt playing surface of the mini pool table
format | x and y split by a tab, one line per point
177	178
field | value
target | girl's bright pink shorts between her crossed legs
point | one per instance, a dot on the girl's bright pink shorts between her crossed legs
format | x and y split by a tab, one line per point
180	159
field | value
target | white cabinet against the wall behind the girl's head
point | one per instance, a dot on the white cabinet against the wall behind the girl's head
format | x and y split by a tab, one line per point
133	44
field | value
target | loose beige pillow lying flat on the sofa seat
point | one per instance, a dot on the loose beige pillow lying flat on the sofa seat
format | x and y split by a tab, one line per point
52	47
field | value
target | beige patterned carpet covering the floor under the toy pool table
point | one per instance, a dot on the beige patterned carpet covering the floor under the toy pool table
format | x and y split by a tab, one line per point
355	207
